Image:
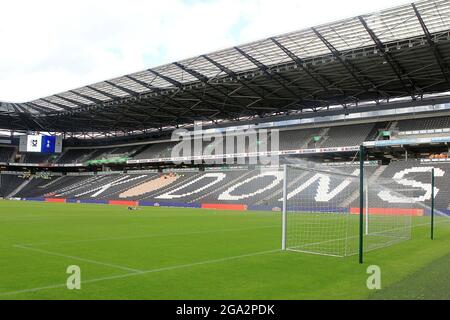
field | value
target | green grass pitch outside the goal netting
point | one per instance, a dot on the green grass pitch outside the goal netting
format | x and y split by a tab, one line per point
171	253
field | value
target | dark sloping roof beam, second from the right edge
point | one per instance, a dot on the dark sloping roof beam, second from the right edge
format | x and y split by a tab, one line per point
395	66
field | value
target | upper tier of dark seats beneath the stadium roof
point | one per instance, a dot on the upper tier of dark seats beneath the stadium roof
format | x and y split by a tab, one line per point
289	139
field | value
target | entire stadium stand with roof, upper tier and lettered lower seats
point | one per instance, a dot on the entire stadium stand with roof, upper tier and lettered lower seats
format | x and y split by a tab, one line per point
333	107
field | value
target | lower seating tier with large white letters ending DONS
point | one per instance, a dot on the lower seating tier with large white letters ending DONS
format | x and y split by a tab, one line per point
251	187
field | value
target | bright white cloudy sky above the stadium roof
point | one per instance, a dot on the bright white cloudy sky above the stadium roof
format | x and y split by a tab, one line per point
50	46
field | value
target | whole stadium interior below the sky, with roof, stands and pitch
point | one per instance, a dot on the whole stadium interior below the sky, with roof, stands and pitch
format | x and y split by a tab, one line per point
356	114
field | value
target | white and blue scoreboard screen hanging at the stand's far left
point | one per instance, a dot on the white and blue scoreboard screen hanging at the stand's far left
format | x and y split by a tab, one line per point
40	143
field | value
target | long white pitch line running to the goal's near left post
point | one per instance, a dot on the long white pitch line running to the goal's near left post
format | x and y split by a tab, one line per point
127	275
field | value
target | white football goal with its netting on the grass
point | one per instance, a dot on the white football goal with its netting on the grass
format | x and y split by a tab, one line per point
322	206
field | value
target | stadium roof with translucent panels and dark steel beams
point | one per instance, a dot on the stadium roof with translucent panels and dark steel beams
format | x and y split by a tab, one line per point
398	54
